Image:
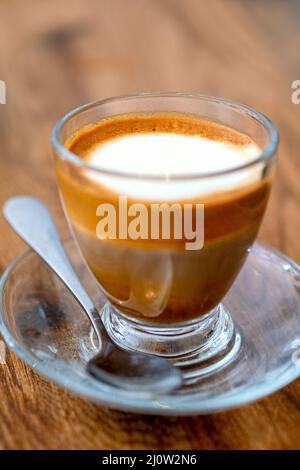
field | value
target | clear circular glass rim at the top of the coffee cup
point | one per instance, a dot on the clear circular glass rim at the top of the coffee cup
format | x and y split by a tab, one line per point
265	154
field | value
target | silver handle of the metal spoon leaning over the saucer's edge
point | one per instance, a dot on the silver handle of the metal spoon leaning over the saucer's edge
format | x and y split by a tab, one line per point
32	221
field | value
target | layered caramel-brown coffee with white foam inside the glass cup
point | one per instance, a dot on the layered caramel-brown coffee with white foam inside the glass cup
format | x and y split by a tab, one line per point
173	159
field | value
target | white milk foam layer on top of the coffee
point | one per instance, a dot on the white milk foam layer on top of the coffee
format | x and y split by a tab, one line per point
170	154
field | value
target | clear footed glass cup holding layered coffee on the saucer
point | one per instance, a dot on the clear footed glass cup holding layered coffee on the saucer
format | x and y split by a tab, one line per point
163	298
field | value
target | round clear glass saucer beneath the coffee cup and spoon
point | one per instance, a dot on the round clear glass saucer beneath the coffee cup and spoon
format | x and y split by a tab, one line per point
45	327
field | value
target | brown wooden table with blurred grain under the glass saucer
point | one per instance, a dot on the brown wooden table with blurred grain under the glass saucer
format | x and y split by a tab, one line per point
58	54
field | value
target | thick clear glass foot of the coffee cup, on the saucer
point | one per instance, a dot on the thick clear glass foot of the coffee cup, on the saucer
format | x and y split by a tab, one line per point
199	348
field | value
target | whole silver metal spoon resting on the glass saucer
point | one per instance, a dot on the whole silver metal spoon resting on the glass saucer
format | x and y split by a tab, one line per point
129	370
